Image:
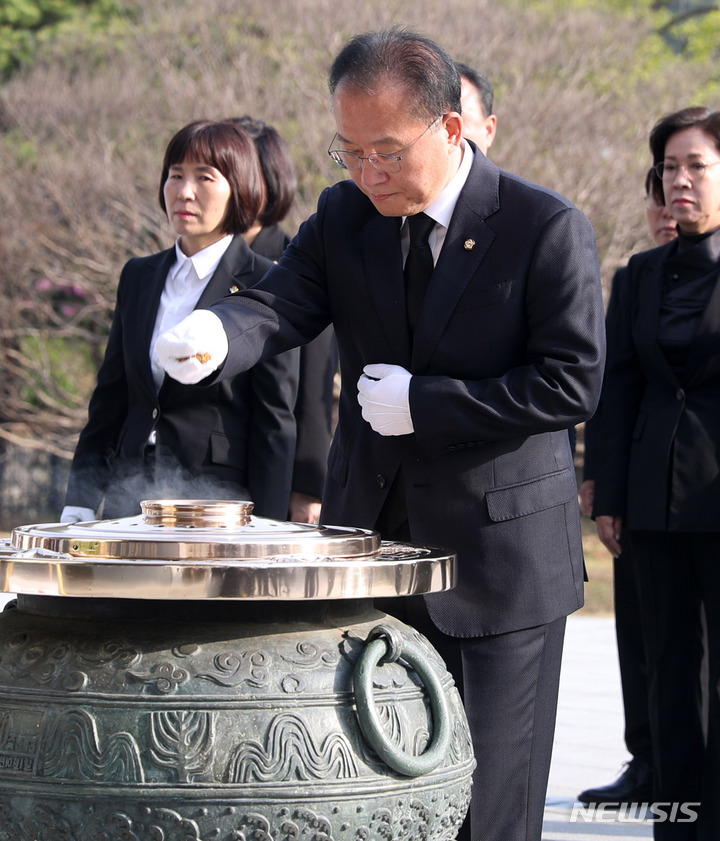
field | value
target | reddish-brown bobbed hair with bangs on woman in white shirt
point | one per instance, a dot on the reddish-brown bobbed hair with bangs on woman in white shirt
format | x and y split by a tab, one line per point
231	150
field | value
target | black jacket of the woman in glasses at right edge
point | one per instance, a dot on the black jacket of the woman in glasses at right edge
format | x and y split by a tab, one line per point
658	448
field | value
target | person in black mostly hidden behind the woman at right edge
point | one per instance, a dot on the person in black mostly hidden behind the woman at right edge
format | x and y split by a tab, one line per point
634	785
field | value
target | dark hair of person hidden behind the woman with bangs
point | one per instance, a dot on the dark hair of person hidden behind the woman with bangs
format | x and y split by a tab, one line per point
277	168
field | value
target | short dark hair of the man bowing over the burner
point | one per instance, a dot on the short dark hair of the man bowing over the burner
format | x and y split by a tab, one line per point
399	54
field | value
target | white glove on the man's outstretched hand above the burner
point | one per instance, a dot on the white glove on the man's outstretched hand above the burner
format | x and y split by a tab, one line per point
194	348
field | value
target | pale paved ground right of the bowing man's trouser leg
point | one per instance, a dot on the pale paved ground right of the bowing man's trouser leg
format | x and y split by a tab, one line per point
589	748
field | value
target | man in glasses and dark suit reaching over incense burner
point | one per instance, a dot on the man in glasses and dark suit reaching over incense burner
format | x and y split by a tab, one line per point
453	414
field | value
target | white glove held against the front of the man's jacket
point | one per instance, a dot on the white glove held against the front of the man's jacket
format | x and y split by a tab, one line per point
384	396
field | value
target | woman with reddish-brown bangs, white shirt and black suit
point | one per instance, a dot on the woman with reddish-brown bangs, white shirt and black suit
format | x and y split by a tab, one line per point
147	435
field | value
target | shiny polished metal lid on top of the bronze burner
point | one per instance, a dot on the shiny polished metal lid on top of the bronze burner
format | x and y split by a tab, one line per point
216	549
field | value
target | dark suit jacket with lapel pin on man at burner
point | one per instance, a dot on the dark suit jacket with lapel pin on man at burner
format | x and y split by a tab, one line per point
508	353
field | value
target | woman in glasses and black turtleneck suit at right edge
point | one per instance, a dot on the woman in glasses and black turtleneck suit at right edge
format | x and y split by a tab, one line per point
658	466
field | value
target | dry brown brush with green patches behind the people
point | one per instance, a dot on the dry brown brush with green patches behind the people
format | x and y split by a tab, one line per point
92	90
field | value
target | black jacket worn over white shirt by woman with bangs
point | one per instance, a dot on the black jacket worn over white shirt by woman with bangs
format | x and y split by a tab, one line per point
233	439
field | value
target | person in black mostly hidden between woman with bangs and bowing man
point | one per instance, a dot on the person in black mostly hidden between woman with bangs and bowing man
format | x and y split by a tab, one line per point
315	404
